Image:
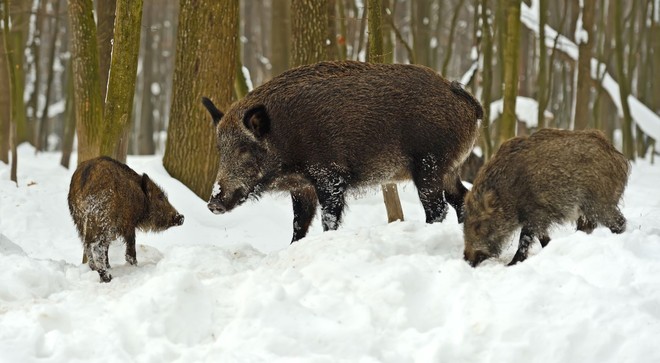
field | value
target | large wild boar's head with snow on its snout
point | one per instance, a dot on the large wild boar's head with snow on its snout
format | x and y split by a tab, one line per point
245	166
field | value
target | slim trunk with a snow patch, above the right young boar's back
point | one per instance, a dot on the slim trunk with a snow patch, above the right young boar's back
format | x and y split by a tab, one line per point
585	46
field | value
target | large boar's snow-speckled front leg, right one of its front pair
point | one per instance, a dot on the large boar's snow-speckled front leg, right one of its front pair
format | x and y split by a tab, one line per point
331	190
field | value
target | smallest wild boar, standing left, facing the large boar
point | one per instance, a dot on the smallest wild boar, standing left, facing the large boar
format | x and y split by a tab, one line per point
109	200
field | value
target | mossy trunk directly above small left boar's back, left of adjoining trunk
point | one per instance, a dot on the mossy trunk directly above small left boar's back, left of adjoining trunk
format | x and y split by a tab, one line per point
88	102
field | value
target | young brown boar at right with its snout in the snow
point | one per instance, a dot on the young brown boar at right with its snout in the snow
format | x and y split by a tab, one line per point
552	176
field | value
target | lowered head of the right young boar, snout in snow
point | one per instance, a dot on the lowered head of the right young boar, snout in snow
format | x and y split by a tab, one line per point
485	227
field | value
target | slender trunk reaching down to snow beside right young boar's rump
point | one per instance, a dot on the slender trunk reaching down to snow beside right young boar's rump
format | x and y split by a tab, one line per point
624	85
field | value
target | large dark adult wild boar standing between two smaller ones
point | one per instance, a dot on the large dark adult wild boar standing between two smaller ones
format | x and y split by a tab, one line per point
322	129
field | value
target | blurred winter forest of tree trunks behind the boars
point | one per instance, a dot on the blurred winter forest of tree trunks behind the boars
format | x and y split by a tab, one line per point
126	76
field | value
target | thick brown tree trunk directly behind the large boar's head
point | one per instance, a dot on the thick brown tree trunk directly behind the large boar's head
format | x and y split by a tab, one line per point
205	61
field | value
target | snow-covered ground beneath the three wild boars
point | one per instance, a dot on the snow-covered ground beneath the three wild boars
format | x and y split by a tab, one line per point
229	288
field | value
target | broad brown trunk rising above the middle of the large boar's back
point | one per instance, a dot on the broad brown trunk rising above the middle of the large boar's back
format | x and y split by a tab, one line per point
309	20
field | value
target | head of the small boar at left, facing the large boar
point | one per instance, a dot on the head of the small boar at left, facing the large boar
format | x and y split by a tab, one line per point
160	215
